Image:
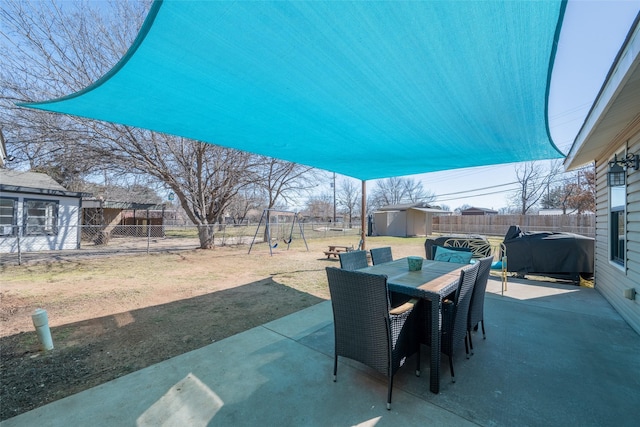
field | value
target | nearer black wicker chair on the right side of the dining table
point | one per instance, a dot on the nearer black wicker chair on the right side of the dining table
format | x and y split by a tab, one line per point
455	315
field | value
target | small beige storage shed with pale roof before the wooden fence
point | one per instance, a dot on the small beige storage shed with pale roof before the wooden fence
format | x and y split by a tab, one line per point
405	220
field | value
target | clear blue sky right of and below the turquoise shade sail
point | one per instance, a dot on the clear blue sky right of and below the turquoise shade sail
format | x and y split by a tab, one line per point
592	34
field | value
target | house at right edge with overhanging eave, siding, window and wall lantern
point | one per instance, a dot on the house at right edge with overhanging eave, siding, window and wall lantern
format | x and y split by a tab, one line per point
612	131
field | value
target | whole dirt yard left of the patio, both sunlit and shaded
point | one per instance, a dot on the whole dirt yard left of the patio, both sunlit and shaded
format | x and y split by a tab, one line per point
112	316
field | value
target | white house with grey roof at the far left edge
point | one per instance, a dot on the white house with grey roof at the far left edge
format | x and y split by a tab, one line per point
37	213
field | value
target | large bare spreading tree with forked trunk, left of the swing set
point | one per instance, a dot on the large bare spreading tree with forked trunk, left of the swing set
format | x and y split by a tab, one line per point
205	178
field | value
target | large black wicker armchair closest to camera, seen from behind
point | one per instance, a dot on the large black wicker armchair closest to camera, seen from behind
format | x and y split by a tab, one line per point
366	329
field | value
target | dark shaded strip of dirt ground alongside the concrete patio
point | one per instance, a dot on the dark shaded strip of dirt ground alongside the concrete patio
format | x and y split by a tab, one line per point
91	352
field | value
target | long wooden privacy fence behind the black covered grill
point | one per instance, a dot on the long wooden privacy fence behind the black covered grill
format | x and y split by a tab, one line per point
497	225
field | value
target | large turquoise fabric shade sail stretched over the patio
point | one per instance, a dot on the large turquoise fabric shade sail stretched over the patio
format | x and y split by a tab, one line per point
366	89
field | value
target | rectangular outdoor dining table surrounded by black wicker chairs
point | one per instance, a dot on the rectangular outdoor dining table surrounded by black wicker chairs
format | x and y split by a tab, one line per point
433	283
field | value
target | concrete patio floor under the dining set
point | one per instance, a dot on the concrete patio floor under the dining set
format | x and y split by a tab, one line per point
555	355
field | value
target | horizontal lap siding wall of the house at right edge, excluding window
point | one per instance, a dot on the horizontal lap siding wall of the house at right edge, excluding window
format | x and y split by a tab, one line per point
611	279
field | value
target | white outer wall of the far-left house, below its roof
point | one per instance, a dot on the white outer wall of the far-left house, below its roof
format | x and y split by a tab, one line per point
67	236
